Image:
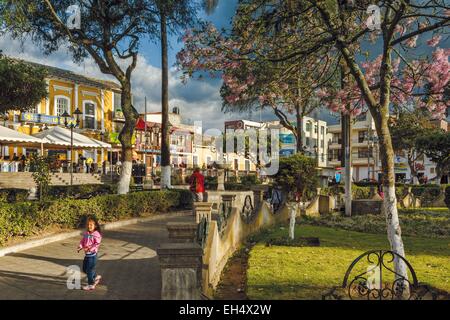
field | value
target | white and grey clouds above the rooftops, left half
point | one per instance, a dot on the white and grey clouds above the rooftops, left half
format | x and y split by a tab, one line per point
197	100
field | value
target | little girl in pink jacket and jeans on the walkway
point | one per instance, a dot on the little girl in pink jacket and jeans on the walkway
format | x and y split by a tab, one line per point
90	243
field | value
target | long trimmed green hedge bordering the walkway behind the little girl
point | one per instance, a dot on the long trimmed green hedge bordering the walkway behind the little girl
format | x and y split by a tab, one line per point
27	218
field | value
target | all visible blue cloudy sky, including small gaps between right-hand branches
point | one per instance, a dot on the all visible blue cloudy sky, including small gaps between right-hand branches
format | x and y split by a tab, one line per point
197	100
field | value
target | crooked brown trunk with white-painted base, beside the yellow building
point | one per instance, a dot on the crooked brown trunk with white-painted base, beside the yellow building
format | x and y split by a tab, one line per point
125	138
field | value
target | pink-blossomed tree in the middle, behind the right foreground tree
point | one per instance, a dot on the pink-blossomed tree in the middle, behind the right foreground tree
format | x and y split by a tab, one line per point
286	87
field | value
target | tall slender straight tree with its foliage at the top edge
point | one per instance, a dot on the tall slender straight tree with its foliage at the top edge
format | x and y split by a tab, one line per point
174	15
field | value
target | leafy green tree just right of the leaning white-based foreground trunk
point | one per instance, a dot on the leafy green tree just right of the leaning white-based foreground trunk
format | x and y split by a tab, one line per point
406	129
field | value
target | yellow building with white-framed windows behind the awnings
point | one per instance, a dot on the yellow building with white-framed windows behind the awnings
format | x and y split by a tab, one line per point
98	100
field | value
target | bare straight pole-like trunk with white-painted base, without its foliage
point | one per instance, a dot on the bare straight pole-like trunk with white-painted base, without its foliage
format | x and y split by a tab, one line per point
165	143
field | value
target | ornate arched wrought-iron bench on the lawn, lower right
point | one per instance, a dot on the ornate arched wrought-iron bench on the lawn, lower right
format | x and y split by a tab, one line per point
371	276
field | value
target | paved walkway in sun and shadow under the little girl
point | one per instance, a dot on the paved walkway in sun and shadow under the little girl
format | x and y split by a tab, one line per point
127	261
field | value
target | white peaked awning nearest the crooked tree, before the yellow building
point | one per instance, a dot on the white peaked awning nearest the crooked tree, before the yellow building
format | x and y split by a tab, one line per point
57	136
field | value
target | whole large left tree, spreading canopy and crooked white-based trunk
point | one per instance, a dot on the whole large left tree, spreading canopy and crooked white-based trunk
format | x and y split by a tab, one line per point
110	32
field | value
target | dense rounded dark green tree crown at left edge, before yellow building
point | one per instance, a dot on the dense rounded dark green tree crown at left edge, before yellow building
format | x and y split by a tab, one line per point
23	85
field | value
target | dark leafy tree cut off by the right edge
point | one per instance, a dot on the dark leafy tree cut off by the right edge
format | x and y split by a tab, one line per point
436	146
